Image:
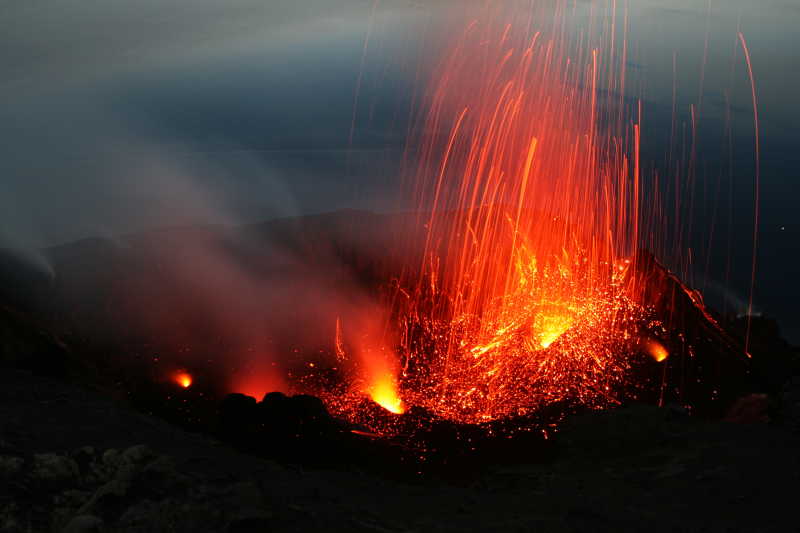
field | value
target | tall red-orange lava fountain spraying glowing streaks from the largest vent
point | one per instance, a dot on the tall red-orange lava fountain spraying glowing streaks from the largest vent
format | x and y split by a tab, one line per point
527	181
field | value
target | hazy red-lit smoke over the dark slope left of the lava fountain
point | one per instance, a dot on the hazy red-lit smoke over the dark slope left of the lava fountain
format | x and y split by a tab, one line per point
245	307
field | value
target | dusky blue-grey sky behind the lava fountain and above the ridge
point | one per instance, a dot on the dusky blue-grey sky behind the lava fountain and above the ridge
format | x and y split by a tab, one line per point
119	115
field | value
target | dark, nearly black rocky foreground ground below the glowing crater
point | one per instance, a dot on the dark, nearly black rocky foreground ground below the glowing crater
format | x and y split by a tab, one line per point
73	460
